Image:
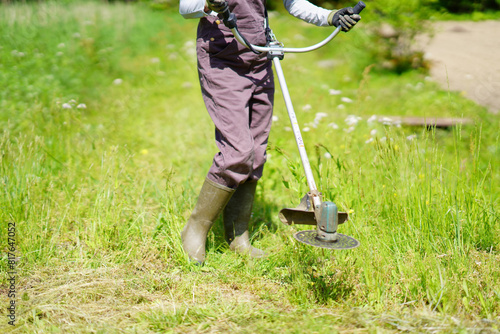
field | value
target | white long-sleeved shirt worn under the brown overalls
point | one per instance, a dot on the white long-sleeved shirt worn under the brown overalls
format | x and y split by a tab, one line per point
302	9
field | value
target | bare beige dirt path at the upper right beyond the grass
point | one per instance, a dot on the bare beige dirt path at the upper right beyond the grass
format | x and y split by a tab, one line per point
466	58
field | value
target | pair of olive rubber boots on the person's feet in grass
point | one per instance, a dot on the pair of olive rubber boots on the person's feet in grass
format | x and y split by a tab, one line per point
237	209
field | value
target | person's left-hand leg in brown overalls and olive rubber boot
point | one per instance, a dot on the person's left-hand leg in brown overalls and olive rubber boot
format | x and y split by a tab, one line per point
226	94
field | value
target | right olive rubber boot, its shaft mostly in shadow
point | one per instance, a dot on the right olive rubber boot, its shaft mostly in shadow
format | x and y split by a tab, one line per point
236	219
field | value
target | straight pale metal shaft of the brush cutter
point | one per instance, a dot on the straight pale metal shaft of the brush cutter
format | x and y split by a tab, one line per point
295	126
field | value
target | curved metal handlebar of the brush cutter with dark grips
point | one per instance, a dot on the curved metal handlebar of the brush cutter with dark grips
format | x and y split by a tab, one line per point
230	22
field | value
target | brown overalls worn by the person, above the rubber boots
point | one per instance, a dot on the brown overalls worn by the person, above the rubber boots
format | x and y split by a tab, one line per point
238	90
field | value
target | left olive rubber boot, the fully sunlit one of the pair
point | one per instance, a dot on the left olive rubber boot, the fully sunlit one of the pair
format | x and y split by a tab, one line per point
211	201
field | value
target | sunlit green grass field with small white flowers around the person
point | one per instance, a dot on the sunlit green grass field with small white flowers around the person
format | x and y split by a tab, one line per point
105	143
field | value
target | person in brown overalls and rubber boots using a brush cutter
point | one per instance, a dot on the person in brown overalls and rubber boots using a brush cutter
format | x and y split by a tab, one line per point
238	90
